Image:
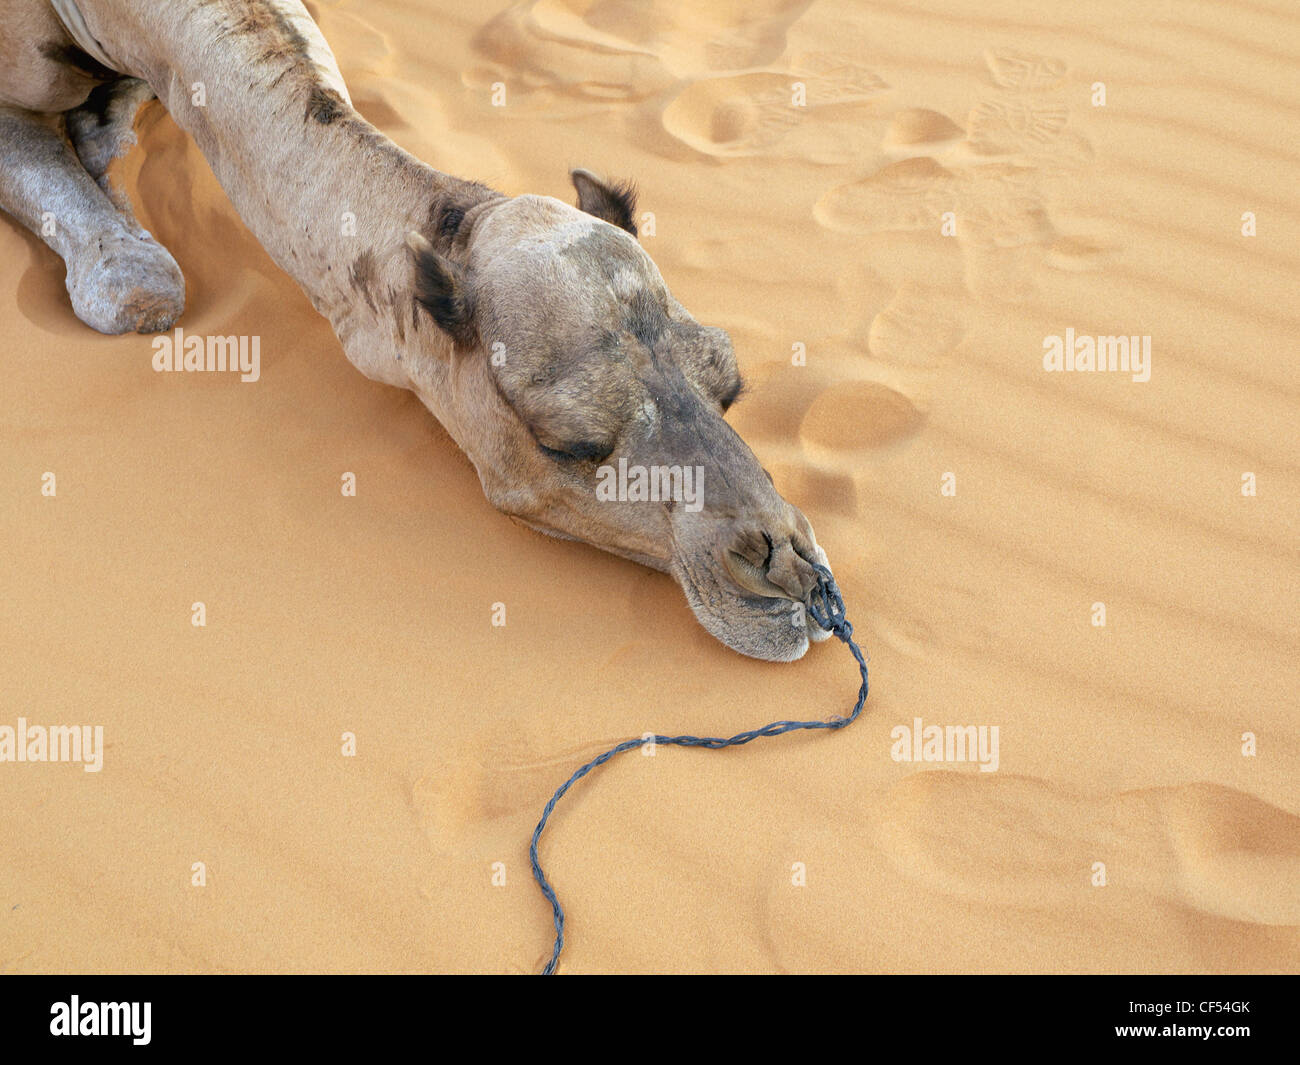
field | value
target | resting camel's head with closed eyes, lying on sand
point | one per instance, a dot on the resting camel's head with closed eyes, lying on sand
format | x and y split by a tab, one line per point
592	405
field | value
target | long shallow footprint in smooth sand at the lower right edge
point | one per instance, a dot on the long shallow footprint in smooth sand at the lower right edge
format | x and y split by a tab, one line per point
1024	842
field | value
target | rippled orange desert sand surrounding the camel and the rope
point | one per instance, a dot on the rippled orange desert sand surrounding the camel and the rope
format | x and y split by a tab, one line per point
816	230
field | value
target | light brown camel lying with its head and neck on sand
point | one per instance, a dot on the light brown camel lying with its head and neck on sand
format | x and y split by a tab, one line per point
540	335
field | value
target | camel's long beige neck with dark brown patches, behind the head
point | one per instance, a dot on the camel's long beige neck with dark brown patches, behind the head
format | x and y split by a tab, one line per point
327	194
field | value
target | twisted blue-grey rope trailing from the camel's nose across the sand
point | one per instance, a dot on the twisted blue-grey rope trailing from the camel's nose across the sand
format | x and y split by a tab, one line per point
826	607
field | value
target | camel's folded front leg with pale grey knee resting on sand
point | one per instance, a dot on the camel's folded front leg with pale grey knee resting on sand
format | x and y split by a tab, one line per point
119	278
